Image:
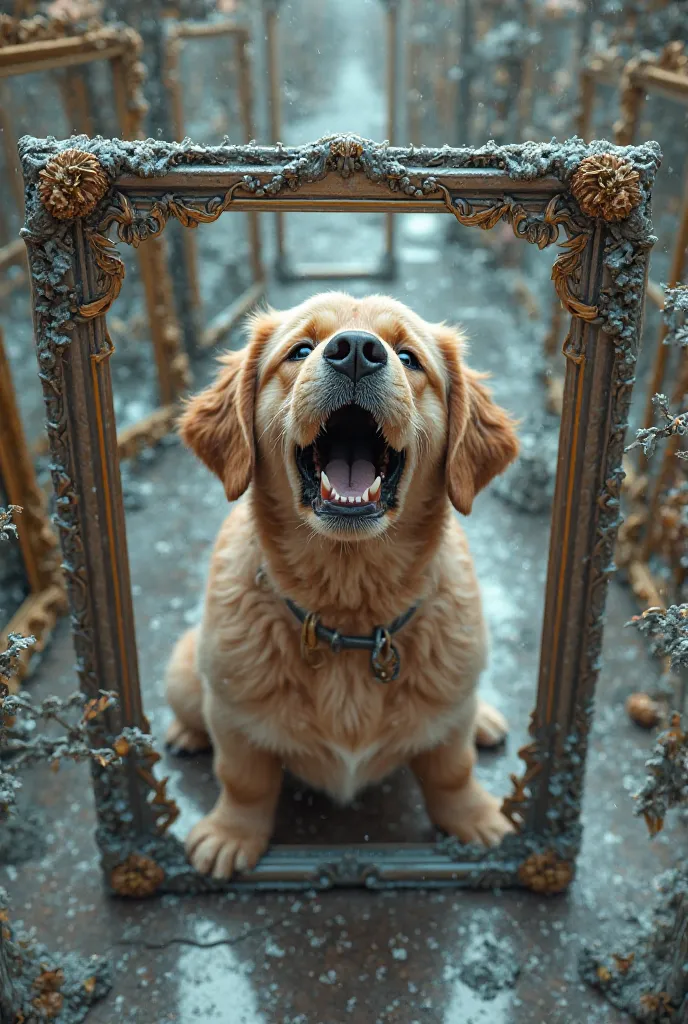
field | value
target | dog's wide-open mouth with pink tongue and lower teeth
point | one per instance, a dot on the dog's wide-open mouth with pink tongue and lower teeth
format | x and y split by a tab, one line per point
350	471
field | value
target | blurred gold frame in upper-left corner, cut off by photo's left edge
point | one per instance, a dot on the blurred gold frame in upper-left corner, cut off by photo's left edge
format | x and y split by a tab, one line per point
40	46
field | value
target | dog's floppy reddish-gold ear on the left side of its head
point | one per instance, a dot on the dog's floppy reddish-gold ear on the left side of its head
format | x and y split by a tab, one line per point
218	423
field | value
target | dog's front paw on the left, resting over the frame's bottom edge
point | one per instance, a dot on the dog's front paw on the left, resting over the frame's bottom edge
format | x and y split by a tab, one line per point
219	848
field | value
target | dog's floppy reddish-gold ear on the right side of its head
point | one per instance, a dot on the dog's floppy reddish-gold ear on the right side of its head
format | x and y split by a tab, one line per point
482	436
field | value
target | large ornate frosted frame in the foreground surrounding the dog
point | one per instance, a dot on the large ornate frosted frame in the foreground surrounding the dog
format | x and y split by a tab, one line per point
596	197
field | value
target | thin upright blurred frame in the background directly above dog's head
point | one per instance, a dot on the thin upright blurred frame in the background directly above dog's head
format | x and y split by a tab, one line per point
285	270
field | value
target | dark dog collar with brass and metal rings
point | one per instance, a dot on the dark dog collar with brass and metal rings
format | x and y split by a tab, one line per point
385	661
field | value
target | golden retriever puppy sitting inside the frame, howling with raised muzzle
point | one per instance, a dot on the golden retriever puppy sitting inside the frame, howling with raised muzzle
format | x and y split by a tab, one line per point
342	634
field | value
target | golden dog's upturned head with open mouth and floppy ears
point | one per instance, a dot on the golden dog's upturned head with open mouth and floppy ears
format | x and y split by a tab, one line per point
355	412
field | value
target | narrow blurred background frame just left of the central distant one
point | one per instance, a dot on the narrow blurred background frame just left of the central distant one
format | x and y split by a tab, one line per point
179	34
